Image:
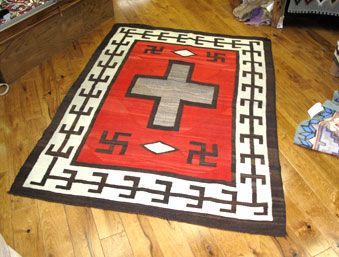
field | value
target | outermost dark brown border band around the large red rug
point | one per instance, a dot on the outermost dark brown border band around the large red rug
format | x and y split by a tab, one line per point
276	227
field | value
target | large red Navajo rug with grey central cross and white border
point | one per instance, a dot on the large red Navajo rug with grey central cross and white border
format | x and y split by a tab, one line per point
170	123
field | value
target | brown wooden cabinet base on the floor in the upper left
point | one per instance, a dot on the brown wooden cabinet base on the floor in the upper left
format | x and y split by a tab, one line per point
26	44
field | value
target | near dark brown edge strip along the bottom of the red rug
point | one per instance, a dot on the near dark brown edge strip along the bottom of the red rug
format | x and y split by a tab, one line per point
232	225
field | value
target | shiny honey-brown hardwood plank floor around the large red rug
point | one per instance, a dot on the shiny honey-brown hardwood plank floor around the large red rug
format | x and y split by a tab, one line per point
302	58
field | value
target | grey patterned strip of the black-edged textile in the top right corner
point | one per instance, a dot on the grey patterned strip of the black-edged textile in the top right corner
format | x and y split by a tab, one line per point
326	7
